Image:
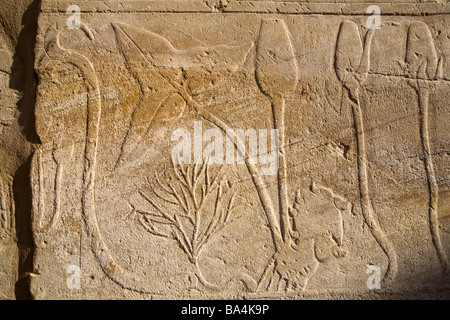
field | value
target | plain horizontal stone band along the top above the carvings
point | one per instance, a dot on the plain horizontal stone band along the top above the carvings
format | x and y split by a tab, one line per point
394	7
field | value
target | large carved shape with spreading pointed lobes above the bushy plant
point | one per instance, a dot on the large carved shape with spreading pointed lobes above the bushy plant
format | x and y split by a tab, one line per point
156	65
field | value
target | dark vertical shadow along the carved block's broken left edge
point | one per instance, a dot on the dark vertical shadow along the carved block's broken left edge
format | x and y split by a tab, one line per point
23	79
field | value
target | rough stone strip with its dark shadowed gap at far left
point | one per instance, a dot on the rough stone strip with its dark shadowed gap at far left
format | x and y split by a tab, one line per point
17	91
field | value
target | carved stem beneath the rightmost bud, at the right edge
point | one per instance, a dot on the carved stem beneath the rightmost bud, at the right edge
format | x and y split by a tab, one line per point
433	189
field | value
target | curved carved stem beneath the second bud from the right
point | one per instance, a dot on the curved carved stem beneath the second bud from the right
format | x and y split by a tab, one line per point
366	204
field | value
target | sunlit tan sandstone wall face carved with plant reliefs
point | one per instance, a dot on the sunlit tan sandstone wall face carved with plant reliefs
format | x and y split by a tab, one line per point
363	163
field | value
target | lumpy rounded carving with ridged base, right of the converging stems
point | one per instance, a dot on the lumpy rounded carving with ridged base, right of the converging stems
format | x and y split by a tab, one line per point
297	262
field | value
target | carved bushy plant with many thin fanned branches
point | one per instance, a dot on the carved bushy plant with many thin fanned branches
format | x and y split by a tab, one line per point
189	204
